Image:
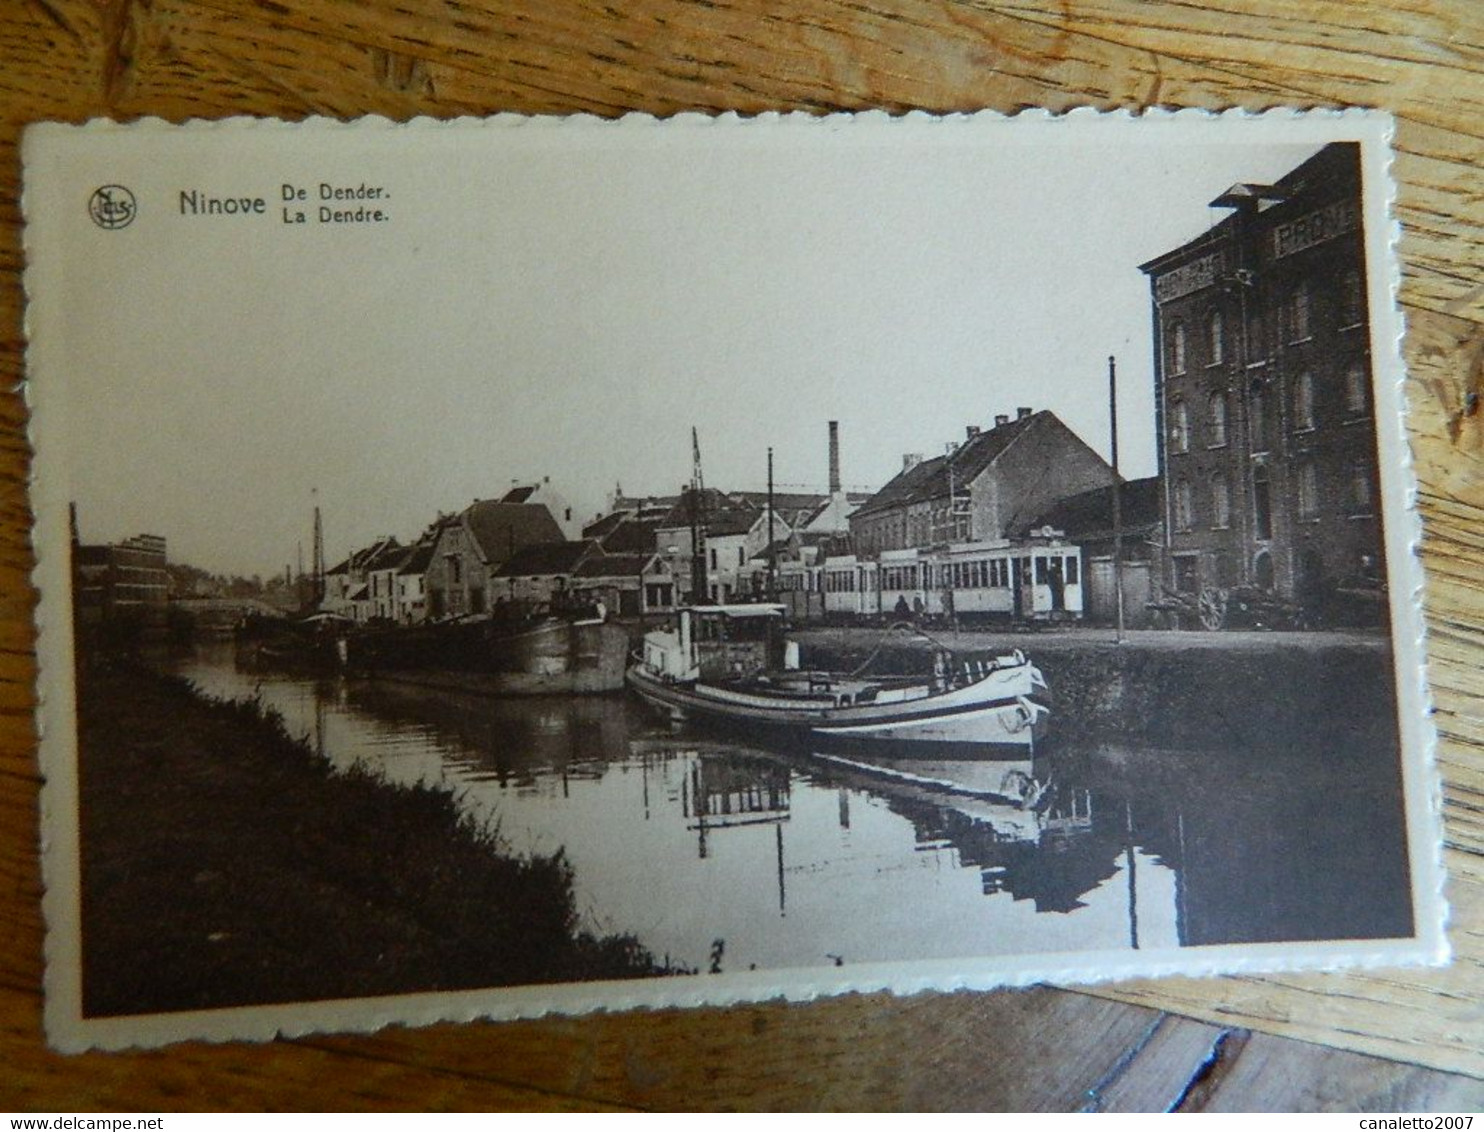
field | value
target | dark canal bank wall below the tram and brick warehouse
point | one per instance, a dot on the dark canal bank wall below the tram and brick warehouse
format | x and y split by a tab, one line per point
1169	689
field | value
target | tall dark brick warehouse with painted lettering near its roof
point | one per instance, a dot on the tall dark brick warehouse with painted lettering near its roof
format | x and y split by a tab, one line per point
1264	397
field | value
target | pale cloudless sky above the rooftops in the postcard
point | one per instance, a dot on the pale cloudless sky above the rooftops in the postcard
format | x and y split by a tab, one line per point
569	305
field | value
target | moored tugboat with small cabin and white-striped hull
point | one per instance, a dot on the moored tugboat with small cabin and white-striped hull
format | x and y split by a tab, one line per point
734	665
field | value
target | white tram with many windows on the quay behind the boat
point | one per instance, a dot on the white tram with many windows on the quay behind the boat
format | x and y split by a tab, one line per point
1043	581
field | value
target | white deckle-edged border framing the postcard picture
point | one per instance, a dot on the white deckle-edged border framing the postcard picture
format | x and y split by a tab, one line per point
70	1032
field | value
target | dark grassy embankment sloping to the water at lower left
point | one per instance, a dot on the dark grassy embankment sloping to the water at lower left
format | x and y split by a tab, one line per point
226	866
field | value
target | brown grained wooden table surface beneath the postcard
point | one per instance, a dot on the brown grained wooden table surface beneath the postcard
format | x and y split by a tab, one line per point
1387	1041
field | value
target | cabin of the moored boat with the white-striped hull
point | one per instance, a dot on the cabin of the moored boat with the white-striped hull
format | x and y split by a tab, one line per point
716	643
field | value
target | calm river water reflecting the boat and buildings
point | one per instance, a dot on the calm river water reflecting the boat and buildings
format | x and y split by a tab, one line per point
719	855
